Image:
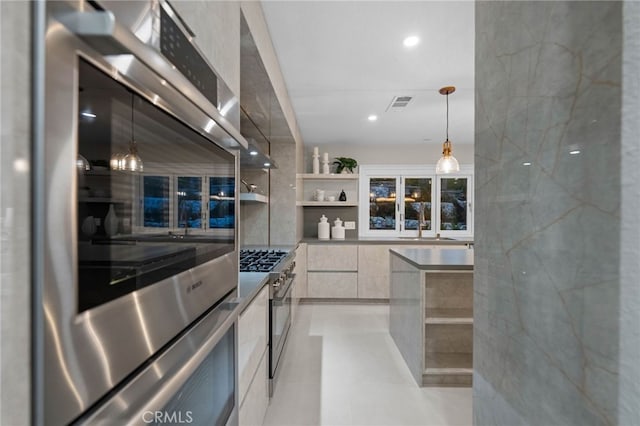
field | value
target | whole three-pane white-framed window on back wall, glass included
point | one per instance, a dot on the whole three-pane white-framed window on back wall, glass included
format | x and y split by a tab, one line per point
437	204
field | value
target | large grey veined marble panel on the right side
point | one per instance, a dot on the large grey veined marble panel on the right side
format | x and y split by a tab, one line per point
547	278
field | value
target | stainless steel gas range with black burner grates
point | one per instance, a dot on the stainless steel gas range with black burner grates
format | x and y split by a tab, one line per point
279	264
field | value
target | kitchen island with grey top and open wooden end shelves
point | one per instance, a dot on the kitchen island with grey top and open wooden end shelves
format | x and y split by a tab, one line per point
431	313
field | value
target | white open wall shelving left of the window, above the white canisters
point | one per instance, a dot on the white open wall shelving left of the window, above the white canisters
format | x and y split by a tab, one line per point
332	185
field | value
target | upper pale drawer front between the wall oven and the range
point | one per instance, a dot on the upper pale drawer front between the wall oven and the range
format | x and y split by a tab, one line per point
252	339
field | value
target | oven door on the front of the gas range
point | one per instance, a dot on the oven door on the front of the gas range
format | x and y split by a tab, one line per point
280	322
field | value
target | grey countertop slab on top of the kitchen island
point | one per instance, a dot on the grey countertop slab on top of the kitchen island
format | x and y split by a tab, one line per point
438	258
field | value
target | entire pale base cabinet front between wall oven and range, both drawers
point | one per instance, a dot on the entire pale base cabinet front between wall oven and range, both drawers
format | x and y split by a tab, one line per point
253	388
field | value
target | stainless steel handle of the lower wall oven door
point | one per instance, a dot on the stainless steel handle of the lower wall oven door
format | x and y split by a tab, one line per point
161	380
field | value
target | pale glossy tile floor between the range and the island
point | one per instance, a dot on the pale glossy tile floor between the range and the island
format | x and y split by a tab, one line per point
341	367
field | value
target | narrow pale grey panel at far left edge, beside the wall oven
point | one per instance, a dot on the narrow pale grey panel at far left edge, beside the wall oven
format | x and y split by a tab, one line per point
15	249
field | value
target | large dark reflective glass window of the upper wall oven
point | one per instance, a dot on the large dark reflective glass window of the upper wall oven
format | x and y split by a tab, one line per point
154	197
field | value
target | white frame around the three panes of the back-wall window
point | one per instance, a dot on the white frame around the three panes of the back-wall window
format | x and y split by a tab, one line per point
401	173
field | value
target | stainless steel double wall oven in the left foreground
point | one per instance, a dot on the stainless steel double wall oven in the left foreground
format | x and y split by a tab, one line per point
139	243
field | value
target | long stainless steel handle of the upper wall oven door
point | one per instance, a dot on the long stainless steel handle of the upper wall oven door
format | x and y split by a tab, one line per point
101	31
